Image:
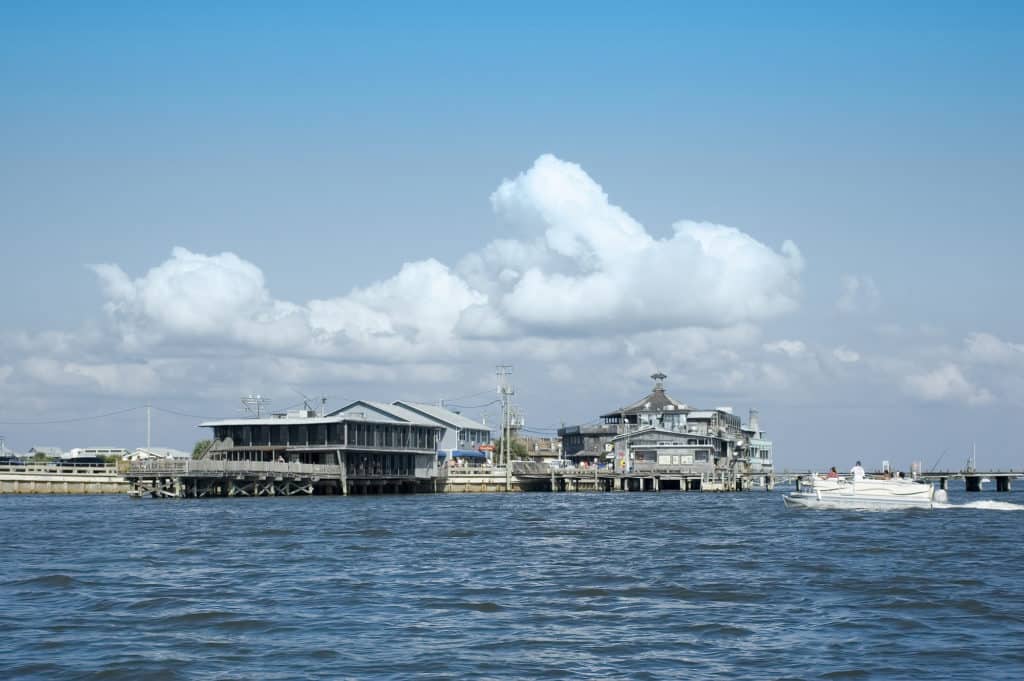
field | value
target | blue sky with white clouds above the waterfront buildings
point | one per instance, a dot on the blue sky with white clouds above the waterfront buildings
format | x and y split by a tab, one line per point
810	210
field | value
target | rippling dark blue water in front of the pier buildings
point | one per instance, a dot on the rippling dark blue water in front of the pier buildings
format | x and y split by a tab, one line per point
587	586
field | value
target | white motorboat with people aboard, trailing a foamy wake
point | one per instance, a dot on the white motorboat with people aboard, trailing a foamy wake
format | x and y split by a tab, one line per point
866	494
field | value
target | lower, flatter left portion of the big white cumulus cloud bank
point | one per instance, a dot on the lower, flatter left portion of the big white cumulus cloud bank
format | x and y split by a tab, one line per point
223	297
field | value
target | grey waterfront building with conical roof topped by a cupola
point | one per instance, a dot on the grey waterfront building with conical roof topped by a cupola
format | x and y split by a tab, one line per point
659	433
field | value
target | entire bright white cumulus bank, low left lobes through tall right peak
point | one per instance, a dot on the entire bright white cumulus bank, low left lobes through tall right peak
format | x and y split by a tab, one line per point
580	267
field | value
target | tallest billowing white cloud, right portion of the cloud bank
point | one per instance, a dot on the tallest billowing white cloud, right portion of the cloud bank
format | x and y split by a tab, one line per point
587	267
